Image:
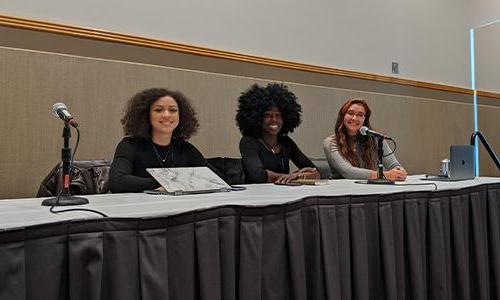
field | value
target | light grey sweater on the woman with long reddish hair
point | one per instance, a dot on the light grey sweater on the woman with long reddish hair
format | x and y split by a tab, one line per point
342	168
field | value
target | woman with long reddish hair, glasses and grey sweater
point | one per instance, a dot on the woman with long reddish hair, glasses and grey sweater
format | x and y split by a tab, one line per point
354	156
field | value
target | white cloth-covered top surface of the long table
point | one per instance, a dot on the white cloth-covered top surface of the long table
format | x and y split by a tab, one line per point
16	213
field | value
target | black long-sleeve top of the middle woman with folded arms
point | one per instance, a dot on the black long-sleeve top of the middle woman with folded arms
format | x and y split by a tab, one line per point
257	158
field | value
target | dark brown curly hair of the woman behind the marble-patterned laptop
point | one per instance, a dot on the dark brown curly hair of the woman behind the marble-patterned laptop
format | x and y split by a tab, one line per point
136	121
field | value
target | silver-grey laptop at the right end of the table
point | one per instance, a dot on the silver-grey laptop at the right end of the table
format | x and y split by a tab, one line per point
461	164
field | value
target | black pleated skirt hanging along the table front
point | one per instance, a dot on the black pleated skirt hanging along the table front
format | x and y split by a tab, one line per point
417	245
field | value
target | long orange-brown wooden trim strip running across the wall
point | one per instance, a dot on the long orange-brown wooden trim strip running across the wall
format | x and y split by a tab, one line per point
102	35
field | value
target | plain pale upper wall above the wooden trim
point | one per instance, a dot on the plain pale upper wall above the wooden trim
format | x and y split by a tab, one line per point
428	38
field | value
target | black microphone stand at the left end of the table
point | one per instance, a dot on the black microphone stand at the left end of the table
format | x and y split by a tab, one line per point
65	198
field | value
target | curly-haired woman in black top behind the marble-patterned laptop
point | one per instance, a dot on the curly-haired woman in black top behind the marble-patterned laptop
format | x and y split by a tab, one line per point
157	123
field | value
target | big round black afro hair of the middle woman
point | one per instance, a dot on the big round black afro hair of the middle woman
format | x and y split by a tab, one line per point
254	102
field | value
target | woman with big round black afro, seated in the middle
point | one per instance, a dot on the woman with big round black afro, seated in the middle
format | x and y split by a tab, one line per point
265	116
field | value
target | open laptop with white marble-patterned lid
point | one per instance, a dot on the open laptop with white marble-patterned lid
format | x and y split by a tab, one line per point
191	180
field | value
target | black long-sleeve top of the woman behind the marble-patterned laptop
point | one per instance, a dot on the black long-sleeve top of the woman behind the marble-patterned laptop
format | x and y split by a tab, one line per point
132	157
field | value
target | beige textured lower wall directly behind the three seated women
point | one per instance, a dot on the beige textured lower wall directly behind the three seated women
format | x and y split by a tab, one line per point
95	91
